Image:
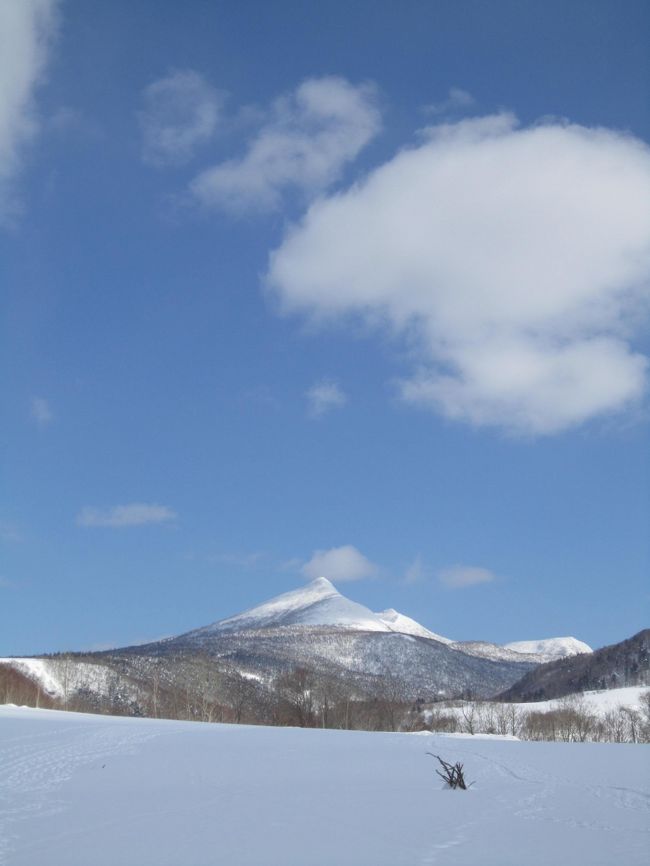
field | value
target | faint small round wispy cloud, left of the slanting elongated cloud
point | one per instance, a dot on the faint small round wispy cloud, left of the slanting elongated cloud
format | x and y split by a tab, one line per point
181	112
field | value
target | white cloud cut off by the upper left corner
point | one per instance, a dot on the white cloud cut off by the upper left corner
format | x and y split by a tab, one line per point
26	31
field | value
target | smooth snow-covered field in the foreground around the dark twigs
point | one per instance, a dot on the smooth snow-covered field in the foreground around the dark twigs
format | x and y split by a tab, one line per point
85	790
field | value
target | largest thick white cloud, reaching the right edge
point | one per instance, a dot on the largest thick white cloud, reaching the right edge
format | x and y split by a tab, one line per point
515	260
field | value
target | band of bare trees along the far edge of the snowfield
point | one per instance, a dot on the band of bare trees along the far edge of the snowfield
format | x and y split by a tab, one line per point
200	688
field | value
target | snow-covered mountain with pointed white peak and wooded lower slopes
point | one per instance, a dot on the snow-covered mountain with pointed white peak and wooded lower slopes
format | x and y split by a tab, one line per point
314	627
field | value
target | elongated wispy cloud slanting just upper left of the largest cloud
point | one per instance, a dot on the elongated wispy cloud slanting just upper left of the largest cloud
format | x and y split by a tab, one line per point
309	138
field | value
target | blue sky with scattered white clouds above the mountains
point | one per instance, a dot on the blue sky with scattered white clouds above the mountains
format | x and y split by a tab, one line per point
291	288
